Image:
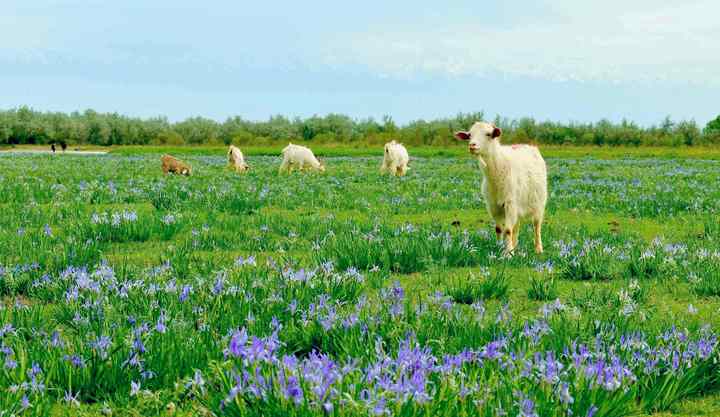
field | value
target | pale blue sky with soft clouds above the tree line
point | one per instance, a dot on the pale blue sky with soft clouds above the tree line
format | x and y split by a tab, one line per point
561	60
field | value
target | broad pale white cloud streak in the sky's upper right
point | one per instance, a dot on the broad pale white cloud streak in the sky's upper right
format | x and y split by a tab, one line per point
610	41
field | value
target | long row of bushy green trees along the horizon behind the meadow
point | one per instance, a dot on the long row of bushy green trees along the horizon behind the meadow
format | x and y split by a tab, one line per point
27	126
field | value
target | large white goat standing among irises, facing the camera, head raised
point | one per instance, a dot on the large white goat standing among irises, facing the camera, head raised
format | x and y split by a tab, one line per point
514	184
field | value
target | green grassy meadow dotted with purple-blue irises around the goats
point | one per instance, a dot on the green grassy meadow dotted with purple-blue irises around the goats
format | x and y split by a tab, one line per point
125	292
